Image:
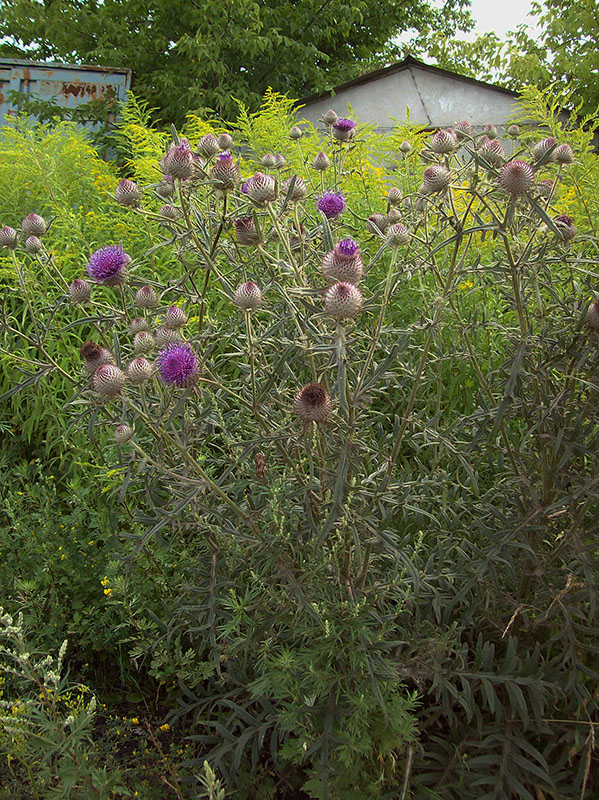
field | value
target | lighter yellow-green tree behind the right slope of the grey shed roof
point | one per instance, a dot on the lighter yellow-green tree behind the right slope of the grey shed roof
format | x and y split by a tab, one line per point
565	51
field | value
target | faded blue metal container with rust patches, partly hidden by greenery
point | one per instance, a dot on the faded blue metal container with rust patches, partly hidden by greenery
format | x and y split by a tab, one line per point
65	84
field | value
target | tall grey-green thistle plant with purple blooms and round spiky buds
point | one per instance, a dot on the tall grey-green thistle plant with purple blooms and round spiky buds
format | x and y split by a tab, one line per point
322	394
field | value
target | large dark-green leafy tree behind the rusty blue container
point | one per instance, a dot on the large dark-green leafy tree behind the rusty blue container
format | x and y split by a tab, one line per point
198	54
